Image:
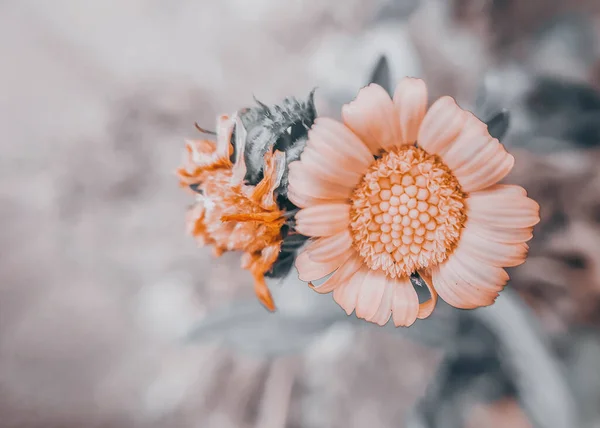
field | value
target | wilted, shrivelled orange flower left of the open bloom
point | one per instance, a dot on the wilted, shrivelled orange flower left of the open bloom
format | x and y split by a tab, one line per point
229	214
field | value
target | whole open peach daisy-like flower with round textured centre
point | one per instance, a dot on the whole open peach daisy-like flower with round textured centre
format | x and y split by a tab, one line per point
397	190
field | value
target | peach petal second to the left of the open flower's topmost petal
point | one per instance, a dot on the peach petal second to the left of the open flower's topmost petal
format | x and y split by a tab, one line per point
339	145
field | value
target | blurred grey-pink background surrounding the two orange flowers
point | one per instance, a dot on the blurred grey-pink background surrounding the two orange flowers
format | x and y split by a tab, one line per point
111	317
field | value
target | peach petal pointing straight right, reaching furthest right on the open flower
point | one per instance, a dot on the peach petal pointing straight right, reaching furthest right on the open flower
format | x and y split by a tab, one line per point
503	206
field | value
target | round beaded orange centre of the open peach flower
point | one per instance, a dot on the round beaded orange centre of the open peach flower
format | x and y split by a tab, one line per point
407	212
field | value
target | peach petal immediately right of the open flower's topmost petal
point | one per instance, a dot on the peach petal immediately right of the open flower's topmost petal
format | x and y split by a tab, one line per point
442	123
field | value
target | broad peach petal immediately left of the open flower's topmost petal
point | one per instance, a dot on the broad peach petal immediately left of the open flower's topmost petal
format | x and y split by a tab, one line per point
372	116
